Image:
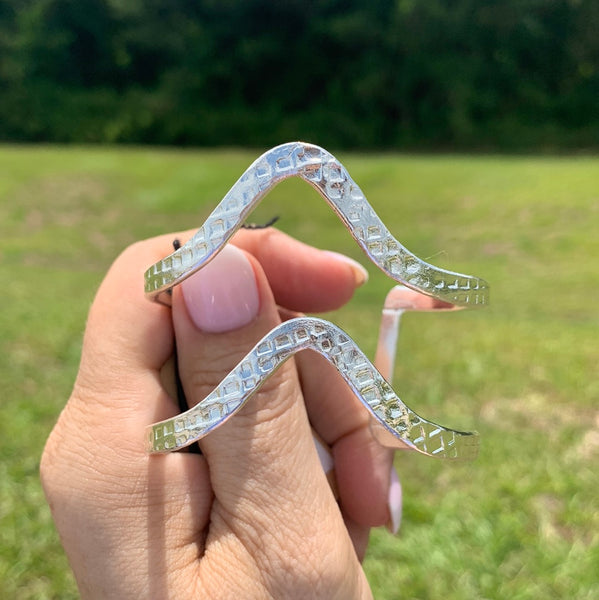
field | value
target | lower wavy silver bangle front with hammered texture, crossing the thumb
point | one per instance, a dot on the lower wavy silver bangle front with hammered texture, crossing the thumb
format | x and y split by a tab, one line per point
397	425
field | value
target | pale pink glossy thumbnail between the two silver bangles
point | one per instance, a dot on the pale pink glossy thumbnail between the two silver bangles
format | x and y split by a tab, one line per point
223	295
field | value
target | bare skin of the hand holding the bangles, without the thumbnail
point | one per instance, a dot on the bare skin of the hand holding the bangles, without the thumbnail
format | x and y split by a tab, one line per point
253	516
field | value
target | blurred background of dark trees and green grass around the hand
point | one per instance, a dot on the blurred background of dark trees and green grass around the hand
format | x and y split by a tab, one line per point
472	127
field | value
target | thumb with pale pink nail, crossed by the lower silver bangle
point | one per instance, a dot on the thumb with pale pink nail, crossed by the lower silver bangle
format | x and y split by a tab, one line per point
270	491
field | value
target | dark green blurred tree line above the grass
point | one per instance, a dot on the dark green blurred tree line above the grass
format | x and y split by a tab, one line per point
488	74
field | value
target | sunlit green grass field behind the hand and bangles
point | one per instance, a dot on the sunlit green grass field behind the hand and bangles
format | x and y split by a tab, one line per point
522	522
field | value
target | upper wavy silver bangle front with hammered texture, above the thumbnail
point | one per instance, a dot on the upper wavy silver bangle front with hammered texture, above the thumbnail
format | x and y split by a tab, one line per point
322	170
